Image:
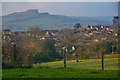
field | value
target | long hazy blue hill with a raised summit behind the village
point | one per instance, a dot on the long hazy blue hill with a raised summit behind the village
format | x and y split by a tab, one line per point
30	18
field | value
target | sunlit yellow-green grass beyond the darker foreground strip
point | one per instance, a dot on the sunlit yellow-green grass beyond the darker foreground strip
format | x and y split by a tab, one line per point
109	64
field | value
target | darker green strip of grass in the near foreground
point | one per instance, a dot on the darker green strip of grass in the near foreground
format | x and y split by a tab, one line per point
46	72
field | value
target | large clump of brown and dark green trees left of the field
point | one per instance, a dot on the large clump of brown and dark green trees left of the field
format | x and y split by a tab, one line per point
27	50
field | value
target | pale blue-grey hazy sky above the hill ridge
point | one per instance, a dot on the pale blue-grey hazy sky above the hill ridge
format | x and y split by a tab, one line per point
90	9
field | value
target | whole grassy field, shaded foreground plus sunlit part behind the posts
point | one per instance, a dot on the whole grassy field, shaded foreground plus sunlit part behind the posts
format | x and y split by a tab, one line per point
89	68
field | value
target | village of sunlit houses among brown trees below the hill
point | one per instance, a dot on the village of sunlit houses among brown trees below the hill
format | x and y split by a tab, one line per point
88	35
